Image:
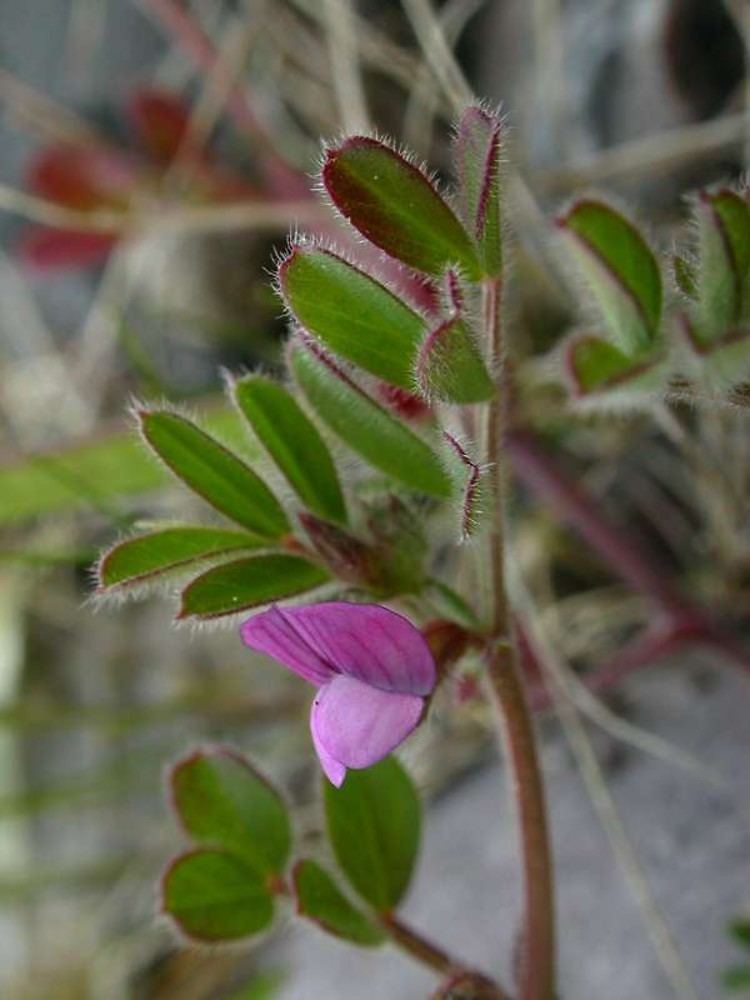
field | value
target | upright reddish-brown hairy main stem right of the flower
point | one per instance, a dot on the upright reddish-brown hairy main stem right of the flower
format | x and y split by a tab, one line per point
537	972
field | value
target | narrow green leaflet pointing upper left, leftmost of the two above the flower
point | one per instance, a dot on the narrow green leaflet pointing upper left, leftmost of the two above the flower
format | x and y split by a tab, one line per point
214	472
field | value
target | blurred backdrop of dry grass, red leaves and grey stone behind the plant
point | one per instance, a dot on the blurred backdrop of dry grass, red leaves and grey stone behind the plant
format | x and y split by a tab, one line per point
202	121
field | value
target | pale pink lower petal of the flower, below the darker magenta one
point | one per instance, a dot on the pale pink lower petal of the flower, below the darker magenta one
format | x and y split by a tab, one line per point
356	725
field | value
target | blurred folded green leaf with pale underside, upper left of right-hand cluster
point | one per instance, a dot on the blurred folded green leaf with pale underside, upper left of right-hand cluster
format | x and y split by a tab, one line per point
621	270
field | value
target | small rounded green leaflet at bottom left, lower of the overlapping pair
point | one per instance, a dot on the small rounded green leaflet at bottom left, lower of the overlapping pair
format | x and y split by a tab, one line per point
215	896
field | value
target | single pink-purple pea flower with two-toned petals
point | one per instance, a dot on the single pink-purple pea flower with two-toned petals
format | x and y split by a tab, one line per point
372	667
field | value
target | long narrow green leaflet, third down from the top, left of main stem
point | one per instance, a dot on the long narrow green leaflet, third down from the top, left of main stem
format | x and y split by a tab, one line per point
366	427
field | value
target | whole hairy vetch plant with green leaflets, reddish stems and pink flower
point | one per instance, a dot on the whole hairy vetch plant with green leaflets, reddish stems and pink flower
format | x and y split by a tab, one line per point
367	518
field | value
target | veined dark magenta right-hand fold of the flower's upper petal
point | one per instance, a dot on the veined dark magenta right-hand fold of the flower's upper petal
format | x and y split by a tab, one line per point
369	642
